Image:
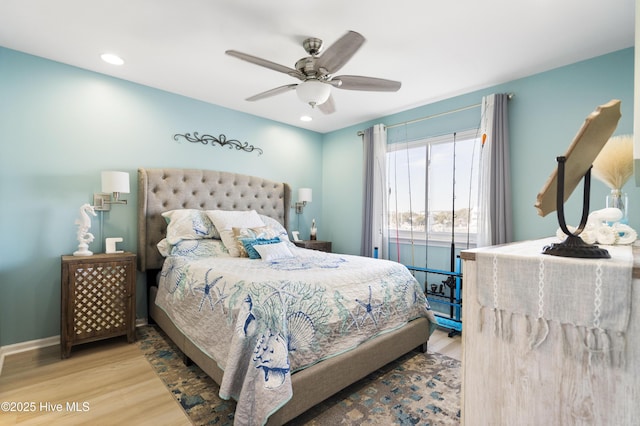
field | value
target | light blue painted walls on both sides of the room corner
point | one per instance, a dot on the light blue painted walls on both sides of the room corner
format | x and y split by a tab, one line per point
61	126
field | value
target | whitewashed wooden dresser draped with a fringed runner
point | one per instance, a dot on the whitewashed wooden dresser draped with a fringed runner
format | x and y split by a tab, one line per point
548	340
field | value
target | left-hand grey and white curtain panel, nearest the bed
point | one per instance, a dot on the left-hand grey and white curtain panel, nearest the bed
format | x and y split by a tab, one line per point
374	223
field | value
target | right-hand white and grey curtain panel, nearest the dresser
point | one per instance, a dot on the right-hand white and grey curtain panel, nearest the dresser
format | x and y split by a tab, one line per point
495	218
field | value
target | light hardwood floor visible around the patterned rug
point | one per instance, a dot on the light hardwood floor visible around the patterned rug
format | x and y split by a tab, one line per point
107	383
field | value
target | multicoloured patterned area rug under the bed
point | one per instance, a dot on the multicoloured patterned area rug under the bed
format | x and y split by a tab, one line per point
417	389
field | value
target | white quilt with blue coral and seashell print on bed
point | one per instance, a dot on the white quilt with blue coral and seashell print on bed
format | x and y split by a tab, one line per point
263	320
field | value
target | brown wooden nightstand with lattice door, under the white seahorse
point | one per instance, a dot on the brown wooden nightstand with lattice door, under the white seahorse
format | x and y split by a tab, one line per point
98	298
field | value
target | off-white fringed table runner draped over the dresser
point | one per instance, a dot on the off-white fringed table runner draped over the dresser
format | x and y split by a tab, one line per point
589	298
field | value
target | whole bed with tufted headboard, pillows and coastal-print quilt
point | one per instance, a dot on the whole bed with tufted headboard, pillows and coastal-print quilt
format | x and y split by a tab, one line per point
262	353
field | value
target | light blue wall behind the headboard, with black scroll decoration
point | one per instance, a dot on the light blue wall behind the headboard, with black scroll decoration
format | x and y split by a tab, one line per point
61	126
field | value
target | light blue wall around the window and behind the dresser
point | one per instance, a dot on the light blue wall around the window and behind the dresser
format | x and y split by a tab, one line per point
545	115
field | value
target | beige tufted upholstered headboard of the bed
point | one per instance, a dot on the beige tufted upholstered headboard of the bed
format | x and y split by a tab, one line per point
160	190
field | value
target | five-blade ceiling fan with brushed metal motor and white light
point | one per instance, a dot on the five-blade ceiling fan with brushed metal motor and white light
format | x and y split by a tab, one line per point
316	72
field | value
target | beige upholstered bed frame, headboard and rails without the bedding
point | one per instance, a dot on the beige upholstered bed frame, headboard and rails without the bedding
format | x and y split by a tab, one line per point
160	190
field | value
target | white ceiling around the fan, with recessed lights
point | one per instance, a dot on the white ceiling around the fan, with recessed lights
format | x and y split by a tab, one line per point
437	49
